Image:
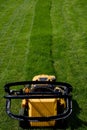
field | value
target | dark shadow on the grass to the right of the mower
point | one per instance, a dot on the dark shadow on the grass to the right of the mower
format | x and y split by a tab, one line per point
74	121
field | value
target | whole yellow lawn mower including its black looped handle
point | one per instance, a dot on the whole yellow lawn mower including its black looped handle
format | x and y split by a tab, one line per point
44	101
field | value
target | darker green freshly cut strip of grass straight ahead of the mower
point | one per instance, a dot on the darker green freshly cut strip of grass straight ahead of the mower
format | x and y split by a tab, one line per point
40	51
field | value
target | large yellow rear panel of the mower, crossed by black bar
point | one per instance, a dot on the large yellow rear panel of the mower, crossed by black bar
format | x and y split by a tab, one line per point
42	108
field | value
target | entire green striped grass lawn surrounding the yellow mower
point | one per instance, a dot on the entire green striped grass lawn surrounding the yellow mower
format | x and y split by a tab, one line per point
44	36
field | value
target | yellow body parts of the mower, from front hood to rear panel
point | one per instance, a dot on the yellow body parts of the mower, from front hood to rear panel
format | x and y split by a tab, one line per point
43	107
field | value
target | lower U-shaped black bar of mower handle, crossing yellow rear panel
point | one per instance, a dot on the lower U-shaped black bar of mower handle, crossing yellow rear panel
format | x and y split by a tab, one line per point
36	119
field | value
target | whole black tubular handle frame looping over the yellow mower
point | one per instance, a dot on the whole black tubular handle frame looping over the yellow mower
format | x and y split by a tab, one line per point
37	95
